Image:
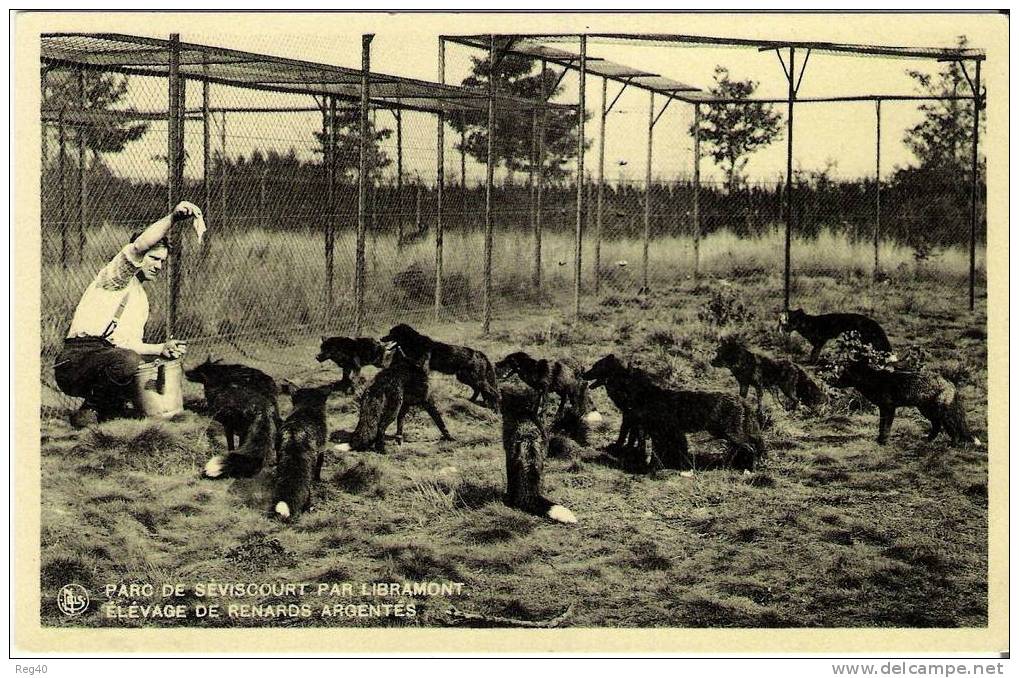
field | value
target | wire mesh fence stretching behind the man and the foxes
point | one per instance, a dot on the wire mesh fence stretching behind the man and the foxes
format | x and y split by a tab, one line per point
278	176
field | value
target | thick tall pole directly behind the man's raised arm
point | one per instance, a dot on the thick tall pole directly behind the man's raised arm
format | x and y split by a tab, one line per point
175	159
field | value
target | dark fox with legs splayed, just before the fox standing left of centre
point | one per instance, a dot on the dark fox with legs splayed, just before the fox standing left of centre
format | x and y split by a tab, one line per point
394	392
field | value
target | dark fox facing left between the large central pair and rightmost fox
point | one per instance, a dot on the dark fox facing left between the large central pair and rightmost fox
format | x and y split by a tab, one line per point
762	373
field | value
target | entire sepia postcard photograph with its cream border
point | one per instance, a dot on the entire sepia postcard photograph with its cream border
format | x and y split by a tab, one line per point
562	323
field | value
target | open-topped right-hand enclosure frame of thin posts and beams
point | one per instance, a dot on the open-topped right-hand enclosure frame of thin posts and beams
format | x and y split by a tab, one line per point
519	44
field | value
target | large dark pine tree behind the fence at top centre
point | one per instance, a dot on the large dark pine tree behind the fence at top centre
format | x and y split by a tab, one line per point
514	132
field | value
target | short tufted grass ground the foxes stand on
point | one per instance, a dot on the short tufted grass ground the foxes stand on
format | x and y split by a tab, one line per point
835	532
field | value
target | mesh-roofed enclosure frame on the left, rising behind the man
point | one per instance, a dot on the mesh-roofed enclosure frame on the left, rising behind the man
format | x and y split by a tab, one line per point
329	85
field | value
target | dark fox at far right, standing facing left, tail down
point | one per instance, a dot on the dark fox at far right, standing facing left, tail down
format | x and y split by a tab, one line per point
936	398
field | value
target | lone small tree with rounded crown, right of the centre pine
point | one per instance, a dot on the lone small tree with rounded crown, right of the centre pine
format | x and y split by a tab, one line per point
734	132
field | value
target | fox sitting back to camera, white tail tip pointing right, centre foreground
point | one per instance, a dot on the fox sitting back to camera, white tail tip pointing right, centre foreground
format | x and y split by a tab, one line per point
526	444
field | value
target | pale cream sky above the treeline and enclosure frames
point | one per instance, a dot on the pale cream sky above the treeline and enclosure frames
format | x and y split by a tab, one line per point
841	137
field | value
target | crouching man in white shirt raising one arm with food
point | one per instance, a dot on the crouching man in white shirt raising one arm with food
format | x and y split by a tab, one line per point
105	344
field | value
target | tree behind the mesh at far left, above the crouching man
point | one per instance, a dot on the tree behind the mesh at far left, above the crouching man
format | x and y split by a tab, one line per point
102	92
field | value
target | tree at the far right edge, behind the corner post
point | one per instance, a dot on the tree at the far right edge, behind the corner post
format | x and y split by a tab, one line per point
943	140
